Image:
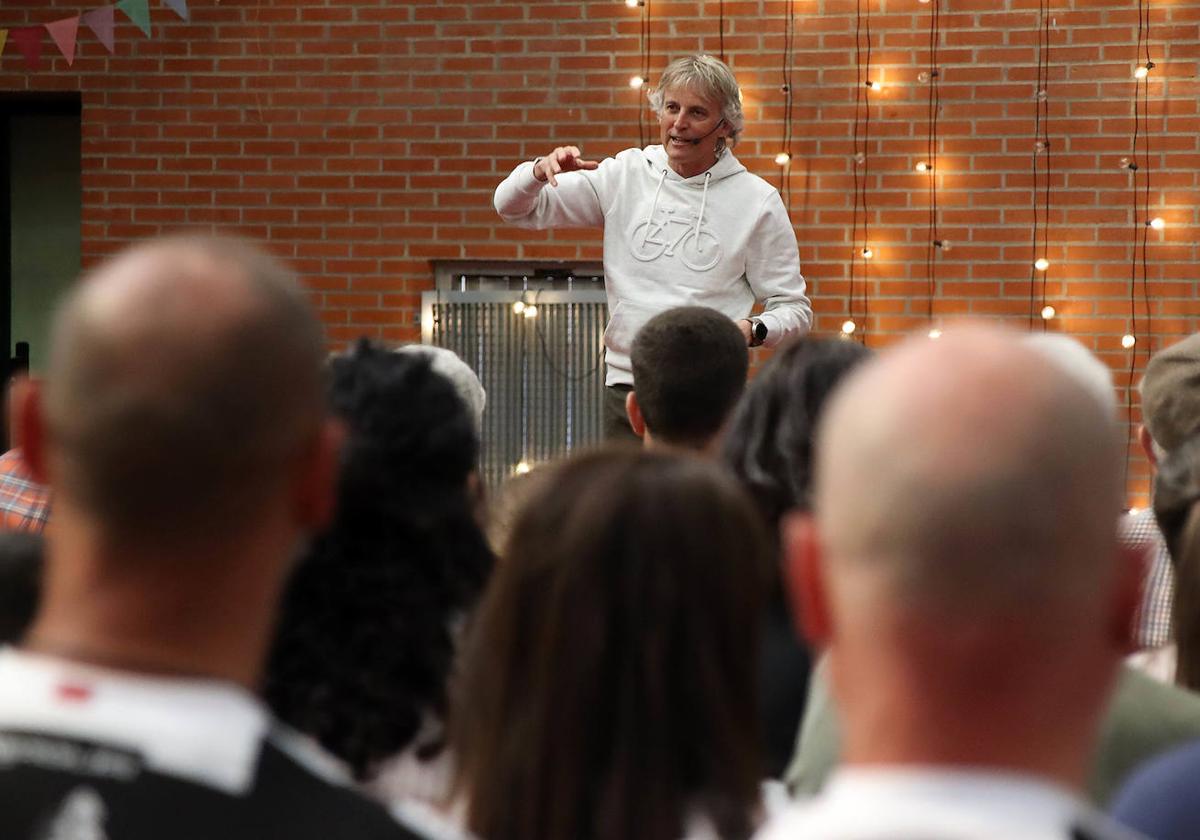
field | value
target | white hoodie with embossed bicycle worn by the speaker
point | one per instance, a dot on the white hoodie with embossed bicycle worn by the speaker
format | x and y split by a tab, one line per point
721	239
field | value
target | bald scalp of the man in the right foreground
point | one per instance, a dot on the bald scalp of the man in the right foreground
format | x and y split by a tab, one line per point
969	476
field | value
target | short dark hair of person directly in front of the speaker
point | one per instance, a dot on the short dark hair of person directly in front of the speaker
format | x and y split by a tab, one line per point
691	367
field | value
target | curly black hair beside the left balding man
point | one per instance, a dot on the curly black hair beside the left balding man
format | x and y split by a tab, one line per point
367	641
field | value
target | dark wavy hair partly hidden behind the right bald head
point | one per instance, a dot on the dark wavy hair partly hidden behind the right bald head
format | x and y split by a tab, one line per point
770	442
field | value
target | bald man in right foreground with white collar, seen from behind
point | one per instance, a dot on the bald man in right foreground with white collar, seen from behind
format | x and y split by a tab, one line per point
963	568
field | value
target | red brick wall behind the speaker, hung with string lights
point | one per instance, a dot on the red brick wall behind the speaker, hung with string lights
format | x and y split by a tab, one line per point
363	140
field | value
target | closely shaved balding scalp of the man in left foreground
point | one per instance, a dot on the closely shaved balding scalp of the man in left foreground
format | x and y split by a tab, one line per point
183	375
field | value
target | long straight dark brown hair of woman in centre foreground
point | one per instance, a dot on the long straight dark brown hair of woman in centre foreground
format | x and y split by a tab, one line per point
609	687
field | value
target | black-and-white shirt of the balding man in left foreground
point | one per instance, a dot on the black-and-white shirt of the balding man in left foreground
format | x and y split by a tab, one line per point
63	777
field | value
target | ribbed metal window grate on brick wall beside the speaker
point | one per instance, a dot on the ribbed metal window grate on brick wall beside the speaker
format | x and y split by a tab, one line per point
544	375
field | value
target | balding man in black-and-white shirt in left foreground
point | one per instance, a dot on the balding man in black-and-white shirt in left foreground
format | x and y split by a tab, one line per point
183	433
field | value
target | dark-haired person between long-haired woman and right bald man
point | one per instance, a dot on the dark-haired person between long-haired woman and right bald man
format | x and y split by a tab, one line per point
770	448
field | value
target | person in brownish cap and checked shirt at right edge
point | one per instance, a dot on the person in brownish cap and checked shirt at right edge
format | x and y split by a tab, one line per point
1171	413
